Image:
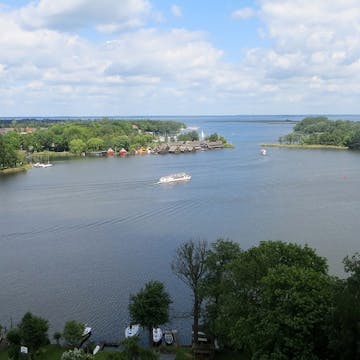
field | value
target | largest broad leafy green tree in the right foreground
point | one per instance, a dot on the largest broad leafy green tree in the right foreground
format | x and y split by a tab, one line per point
267	282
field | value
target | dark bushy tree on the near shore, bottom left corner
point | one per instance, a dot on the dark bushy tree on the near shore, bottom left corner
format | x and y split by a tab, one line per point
33	332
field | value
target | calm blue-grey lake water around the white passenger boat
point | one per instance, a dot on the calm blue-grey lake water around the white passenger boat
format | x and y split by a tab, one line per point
78	238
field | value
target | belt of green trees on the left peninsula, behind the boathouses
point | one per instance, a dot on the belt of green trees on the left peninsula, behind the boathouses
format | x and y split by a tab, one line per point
82	135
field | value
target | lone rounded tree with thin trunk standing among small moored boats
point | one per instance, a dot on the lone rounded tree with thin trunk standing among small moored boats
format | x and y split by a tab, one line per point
150	306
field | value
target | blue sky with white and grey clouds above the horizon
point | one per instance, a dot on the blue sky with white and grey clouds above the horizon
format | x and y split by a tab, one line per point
186	57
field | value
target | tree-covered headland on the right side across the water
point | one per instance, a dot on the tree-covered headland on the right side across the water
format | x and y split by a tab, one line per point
322	131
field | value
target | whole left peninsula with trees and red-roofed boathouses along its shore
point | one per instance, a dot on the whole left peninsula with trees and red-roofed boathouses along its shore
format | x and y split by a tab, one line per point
26	141
